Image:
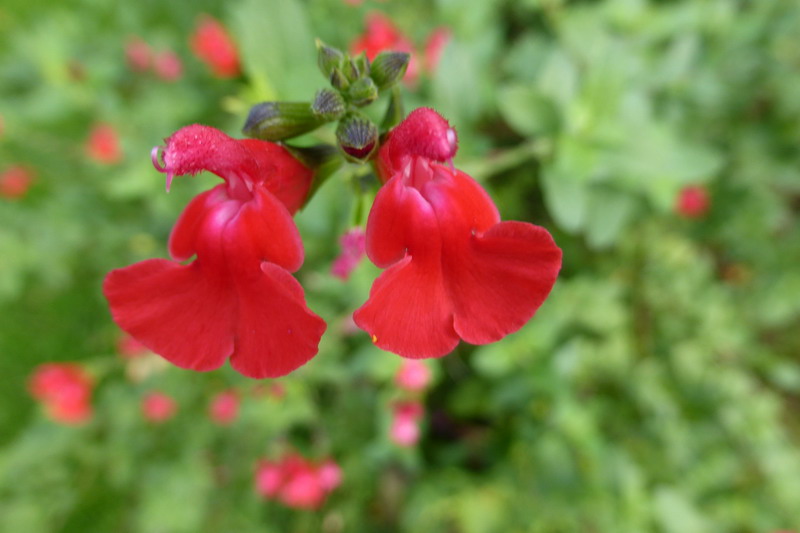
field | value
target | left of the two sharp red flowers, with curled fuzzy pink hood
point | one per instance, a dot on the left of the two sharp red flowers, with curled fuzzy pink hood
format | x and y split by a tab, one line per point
237	299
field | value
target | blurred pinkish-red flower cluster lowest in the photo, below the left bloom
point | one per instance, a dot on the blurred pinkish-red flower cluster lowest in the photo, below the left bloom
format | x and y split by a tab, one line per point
297	482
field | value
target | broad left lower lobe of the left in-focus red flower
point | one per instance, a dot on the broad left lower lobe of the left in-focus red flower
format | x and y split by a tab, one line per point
185	313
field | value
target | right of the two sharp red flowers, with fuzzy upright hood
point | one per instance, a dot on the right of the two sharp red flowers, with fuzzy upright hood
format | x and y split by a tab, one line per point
454	270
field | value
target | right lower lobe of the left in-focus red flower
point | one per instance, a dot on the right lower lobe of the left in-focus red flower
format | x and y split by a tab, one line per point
276	332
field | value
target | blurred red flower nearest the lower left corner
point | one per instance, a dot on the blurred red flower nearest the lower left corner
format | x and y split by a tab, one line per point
65	389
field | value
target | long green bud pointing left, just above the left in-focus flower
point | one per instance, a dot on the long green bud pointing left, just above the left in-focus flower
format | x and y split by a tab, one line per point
276	121
